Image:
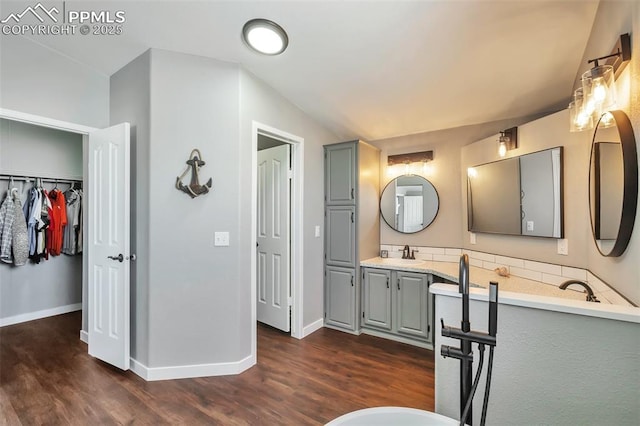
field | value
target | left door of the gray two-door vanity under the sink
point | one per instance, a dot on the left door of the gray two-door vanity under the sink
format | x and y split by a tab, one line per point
376	298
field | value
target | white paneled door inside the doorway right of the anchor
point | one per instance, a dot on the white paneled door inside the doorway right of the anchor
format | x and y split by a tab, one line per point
273	237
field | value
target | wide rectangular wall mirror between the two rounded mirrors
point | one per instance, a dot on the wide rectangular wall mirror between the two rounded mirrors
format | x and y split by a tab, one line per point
517	196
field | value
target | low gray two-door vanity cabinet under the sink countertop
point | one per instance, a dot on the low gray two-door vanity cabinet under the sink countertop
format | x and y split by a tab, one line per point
397	305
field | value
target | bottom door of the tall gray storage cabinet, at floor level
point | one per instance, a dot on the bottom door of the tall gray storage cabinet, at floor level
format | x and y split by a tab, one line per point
340	297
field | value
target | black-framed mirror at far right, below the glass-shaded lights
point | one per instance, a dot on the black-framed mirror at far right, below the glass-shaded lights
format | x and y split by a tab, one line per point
613	183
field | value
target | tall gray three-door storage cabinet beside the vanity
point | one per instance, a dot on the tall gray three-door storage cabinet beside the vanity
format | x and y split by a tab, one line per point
352	227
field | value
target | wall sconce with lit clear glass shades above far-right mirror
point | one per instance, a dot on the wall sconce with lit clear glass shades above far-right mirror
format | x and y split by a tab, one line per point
597	95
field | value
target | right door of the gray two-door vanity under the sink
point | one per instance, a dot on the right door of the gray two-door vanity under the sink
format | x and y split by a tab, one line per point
411	304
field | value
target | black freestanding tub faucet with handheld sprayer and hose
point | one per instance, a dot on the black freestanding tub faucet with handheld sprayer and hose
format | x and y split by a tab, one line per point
467	337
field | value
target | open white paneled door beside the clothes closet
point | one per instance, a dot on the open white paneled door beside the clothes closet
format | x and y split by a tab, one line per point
107	193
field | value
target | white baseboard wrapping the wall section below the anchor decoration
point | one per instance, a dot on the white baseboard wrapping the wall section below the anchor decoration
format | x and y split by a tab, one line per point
191	371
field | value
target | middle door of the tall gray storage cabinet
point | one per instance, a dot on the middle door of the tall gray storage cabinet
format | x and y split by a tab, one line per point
341	236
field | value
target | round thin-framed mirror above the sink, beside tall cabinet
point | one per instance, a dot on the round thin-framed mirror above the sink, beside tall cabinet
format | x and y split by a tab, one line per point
409	203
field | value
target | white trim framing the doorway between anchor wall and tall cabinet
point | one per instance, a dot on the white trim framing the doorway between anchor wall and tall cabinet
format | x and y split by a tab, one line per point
297	227
